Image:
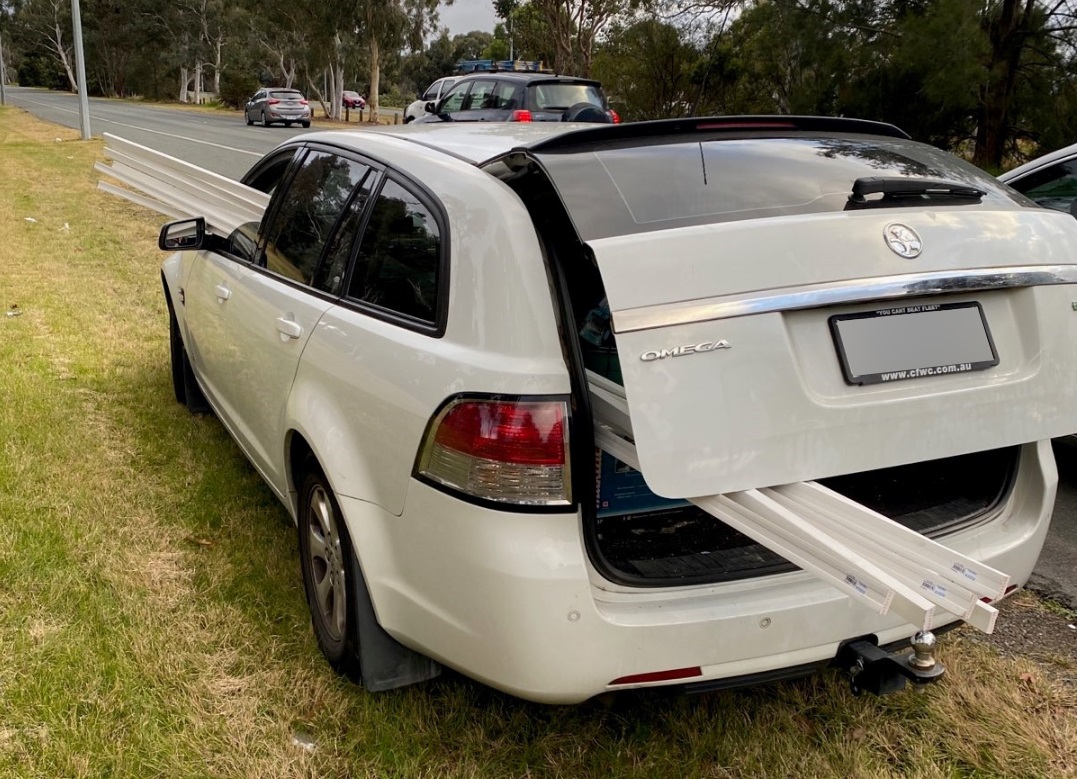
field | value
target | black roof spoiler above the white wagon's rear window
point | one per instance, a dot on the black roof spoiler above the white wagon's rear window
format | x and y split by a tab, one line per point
716	126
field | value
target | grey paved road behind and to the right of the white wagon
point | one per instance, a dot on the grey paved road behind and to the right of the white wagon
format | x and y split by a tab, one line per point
225	144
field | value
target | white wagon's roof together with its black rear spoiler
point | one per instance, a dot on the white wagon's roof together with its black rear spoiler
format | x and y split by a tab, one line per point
478	143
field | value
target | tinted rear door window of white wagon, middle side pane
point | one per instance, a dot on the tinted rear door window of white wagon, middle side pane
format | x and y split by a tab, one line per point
307	212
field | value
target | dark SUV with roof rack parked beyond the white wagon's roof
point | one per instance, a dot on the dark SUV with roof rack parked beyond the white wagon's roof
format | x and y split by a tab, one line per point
522	98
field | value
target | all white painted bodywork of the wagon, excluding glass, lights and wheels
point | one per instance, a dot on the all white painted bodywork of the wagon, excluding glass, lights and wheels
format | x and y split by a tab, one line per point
513	597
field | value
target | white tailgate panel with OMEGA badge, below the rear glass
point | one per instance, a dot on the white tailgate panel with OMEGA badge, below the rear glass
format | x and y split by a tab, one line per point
774	408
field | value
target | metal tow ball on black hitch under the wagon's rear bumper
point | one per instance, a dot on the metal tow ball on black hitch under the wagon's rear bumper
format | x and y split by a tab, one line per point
876	671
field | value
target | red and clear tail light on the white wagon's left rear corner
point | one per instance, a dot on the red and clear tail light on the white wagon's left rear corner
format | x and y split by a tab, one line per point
503	451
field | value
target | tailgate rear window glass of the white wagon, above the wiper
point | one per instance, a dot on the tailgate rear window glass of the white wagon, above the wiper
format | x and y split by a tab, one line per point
637	189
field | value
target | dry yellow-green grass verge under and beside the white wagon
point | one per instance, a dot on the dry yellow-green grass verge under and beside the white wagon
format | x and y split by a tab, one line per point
152	621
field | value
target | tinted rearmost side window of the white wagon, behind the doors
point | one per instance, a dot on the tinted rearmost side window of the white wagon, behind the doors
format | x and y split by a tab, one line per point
398	266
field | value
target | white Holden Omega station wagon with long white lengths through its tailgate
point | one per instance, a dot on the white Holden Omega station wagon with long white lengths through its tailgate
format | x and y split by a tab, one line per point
579	410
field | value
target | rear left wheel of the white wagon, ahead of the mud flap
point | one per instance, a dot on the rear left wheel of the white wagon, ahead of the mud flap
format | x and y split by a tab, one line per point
330	574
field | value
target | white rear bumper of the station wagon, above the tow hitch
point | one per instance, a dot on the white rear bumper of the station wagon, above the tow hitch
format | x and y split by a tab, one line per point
512	600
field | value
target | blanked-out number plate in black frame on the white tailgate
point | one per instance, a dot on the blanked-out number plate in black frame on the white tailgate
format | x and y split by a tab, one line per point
913	342
